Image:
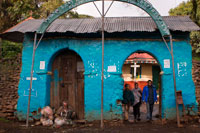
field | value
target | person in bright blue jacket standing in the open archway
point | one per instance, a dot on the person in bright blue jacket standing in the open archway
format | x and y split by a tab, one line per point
149	96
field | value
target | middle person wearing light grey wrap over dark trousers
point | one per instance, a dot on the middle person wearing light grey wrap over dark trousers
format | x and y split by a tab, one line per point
136	106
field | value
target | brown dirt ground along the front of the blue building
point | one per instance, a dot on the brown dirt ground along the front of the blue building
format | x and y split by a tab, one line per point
110	127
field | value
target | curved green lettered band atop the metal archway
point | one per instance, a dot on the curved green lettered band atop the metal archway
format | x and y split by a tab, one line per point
143	4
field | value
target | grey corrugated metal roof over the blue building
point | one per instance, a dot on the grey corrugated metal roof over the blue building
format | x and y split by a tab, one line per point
112	24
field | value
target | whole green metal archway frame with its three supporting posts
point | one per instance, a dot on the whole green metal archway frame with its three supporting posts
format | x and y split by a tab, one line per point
143	4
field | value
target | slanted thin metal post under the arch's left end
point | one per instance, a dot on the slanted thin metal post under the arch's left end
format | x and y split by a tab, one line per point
31	80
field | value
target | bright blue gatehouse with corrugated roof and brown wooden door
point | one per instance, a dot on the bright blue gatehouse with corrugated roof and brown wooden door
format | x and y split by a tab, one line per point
68	63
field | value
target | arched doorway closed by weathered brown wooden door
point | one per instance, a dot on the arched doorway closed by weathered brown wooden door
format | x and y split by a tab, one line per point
67	81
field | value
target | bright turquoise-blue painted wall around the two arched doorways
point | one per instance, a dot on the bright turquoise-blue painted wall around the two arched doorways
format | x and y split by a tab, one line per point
116	52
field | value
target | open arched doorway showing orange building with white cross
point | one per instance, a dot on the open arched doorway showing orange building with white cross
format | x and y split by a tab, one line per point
141	67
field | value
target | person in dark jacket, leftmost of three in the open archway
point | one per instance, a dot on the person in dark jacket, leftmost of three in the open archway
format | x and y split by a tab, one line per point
128	100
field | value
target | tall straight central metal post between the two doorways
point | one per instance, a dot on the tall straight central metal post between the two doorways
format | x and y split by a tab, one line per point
102	76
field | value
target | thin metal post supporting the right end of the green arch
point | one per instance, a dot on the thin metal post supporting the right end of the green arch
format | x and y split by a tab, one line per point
174	77
